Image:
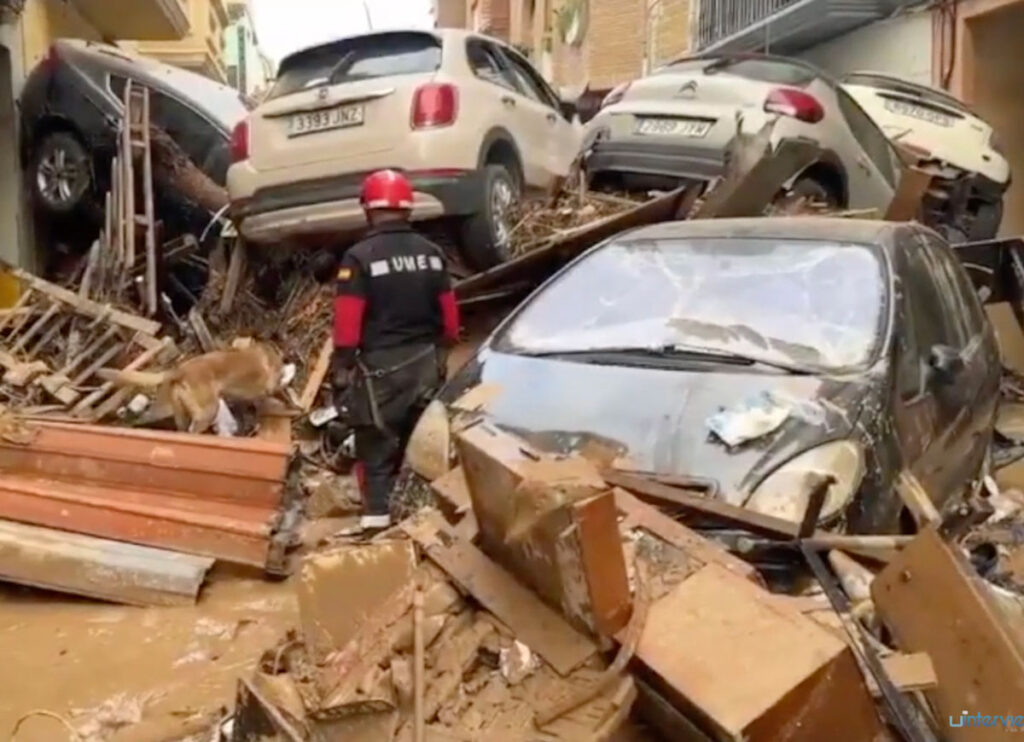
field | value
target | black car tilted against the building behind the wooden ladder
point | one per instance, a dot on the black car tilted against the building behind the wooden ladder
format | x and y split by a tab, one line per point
71	108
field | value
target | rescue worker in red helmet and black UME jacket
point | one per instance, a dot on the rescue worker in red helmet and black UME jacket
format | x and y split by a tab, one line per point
395	318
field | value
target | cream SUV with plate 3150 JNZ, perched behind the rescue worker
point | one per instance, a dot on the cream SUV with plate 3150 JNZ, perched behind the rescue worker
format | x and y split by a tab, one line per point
466	117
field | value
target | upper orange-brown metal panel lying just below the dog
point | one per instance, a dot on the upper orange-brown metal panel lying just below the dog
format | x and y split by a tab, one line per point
232	470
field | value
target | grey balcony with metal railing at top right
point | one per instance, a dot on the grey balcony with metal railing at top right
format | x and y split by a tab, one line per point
741	26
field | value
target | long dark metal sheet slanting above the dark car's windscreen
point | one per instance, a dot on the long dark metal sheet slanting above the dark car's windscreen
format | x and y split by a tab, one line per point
538	265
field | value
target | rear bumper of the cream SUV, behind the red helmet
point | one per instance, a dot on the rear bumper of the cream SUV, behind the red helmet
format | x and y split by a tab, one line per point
332	205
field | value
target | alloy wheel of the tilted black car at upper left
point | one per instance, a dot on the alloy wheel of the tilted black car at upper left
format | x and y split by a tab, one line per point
61	173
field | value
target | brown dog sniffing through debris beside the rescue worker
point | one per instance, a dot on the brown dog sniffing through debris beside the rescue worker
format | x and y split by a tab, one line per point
192	394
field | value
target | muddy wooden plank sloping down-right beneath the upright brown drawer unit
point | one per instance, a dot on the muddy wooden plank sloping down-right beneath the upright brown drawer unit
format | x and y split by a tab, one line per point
534	624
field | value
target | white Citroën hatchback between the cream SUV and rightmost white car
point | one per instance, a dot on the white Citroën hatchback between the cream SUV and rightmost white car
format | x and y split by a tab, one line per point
674	126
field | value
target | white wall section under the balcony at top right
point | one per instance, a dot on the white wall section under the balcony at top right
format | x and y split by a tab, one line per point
901	46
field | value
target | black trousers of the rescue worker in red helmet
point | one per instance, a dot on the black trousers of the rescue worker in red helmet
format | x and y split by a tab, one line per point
386	410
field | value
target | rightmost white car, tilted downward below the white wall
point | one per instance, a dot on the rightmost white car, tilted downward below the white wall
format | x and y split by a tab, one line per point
936	126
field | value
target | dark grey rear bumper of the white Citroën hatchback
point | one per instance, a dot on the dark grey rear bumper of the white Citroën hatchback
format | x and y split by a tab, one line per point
662	159
